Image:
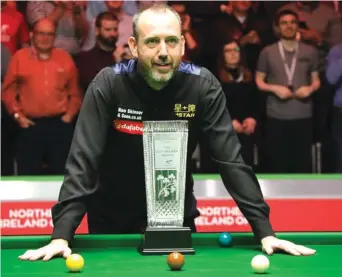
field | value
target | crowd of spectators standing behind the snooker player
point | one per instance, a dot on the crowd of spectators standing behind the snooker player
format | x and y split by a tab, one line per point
279	63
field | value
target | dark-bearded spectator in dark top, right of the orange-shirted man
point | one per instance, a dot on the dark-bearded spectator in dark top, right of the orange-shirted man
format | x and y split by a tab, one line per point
105	52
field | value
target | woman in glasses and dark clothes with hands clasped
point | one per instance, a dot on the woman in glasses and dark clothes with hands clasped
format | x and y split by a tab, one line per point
241	96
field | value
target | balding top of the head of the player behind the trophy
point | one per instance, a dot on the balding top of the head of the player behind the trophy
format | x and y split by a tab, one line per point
158	12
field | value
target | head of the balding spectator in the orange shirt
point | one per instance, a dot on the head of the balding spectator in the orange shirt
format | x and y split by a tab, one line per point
44	36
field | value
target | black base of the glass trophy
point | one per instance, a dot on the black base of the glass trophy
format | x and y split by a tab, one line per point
163	241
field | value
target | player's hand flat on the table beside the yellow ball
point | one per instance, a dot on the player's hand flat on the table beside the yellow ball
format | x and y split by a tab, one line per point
57	247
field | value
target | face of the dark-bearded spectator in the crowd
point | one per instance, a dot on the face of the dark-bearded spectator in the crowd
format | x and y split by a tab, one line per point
108	33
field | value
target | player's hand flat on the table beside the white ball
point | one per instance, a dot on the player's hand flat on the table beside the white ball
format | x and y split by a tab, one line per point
271	244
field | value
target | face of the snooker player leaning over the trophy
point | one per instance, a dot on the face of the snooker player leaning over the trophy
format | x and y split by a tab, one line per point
160	46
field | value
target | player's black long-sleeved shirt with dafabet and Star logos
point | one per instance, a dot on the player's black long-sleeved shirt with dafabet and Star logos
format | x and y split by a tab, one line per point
105	169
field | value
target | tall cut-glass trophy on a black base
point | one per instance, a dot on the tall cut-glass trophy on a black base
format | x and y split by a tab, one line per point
165	158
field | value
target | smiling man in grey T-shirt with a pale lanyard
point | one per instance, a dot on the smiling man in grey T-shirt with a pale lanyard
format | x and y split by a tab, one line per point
291	70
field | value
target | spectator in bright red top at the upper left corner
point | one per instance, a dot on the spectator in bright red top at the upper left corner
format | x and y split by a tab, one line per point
14	29
